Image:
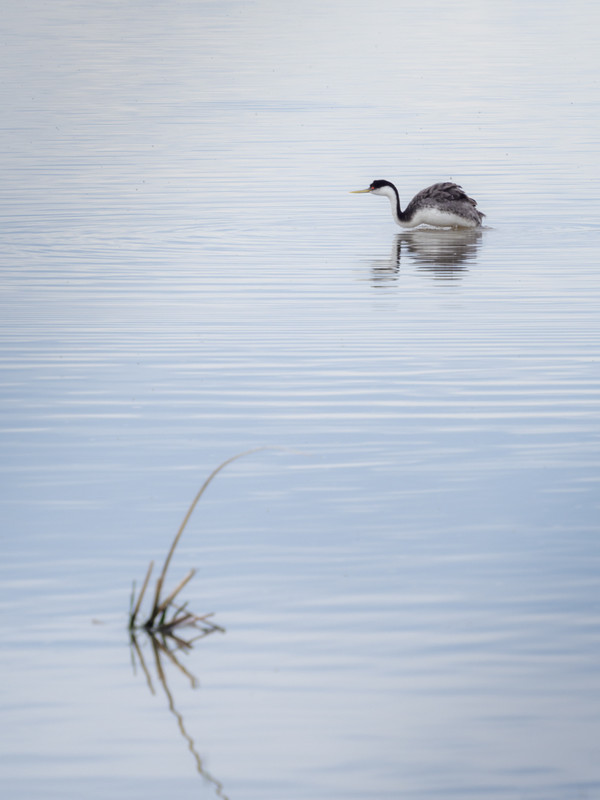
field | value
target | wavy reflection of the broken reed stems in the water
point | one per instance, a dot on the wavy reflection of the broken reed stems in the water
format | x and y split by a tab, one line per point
165	649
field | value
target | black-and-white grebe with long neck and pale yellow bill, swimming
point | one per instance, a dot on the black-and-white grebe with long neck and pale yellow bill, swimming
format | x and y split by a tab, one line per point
443	205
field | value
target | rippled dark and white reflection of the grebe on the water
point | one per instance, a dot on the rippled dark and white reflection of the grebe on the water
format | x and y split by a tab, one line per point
444	253
